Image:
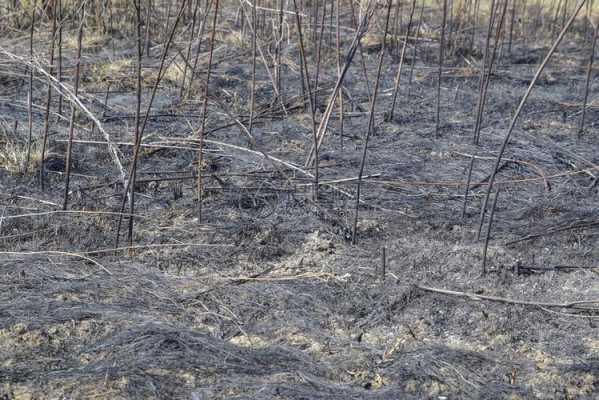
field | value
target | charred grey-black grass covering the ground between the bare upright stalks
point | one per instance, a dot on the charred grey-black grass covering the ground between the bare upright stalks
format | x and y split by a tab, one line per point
265	297
